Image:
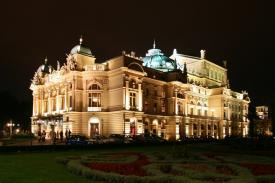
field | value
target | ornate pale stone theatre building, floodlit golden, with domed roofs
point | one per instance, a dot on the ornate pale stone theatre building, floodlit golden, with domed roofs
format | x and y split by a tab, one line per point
180	96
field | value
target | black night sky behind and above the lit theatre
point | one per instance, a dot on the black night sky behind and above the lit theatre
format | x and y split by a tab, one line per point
241	32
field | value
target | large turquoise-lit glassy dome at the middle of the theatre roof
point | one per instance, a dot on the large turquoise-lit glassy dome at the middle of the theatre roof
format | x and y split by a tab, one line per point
157	60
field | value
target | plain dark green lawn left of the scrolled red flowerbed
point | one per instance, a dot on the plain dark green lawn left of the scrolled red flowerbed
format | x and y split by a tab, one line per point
36	168
